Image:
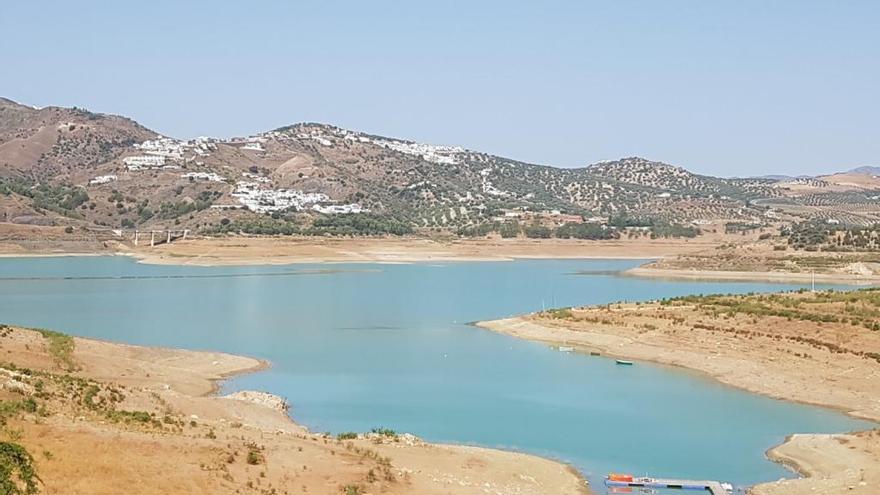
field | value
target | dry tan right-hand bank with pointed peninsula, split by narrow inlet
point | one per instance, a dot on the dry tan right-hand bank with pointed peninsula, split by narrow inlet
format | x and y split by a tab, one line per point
817	348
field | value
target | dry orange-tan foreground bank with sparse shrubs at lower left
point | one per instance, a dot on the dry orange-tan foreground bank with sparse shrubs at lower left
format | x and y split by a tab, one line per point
197	443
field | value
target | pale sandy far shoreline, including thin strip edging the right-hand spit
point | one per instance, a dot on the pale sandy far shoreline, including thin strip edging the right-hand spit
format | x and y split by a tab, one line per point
246	251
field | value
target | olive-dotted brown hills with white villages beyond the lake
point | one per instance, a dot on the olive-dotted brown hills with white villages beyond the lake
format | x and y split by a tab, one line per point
70	166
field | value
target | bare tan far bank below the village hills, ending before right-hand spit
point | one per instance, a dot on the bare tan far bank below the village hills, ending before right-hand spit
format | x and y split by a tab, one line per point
23	240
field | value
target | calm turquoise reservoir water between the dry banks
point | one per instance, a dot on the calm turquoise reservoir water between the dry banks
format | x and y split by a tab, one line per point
358	346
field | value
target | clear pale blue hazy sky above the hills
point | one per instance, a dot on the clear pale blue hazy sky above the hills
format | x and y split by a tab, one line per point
722	87
